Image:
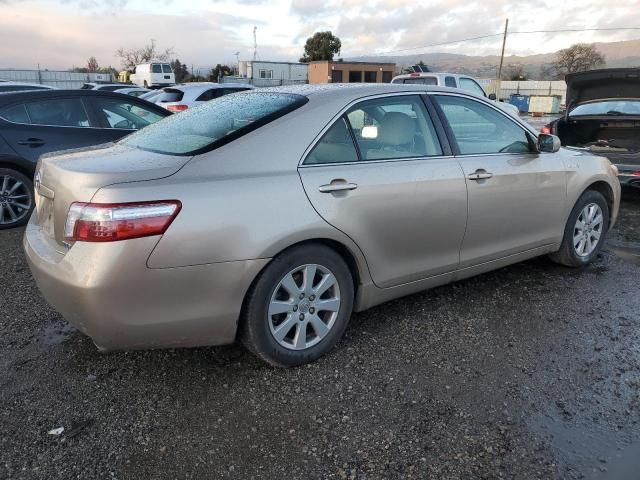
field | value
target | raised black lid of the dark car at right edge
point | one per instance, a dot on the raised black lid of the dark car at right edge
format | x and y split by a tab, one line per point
602	84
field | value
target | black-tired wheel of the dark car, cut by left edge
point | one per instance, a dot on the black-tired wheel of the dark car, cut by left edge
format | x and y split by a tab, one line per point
9	204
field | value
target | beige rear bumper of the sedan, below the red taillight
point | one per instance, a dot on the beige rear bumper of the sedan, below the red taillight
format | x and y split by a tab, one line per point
109	293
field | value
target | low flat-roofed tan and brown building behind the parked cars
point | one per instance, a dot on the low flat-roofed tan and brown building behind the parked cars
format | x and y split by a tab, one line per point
350	72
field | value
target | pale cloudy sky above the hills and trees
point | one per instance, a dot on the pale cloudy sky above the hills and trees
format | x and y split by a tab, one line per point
60	34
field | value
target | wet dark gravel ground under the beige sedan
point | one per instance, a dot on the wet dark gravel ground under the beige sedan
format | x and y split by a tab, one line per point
532	371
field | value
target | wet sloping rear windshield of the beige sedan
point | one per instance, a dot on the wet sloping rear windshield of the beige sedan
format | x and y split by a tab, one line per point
214	123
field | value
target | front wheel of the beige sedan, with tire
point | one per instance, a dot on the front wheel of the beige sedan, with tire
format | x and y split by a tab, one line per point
585	231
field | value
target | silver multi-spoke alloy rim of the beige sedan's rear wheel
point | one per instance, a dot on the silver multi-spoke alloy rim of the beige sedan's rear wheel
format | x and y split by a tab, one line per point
304	307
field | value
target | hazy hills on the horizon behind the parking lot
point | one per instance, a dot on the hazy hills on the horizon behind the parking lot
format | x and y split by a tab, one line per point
617	54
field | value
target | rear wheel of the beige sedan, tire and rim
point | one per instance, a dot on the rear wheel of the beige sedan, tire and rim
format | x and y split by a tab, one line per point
299	307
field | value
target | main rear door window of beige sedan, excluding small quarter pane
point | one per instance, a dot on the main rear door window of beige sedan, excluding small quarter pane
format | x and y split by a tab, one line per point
393	128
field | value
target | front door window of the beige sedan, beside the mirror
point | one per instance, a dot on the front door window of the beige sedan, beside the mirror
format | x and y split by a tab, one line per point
480	129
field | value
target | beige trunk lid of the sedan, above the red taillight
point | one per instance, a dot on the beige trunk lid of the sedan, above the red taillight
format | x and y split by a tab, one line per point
76	175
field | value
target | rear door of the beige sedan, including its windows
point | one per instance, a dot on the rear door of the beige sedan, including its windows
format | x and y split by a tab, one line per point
394	191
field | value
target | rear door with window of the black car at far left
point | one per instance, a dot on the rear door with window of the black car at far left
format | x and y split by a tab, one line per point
47	125
